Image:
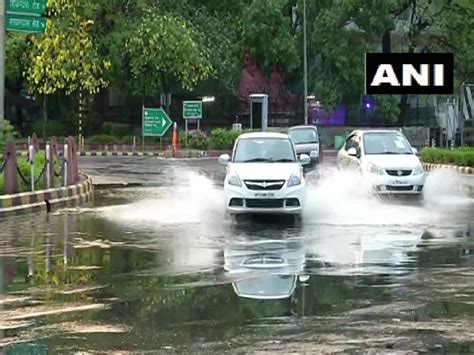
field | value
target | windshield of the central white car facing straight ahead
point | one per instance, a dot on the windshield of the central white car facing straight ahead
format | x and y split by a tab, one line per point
264	150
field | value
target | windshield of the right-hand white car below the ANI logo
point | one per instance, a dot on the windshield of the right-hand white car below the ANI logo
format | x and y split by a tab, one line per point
386	143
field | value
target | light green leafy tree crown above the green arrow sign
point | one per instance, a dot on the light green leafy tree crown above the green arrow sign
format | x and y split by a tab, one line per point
162	45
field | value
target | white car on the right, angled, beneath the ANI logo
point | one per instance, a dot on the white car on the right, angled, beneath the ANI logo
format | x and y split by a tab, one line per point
386	159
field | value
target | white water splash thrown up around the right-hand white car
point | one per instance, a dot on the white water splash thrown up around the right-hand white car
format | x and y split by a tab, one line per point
342	198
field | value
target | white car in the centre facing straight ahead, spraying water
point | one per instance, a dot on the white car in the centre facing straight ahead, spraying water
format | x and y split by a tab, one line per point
264	175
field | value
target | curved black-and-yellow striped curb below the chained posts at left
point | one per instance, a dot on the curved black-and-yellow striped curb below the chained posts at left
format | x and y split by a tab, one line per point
47	200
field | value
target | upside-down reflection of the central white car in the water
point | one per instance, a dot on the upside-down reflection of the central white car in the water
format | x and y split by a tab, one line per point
266	271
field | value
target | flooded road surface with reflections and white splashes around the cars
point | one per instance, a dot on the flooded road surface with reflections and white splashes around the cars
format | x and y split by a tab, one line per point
159	269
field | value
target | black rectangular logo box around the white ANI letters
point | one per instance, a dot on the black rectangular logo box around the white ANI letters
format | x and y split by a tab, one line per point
396	60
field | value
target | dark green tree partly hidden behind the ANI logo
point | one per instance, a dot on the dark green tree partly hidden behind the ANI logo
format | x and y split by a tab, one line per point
340	35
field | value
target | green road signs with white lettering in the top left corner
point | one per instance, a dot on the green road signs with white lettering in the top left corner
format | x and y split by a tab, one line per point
26	16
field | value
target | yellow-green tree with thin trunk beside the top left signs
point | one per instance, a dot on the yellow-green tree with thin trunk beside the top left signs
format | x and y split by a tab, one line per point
65	57
